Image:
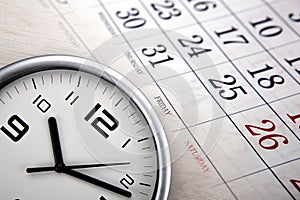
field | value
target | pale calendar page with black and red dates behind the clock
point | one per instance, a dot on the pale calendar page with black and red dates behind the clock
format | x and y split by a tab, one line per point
223	76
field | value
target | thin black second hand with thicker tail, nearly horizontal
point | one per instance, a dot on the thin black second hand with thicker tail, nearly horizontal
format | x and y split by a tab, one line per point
45	169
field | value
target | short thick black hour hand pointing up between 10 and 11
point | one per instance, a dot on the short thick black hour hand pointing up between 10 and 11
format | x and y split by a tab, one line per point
55	144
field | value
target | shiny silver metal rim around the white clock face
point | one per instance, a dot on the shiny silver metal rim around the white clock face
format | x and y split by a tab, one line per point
27	66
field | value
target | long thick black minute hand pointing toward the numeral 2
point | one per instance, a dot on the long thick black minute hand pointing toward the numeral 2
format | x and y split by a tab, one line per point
95	181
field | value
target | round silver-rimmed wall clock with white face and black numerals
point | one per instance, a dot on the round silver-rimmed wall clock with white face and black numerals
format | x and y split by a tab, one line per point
71	128
